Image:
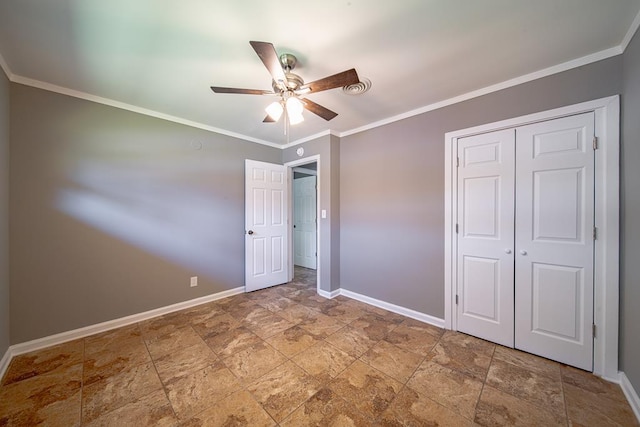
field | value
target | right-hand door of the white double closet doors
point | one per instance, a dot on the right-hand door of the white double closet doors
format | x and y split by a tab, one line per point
554	239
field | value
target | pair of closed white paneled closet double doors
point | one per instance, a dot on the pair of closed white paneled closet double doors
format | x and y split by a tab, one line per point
525	238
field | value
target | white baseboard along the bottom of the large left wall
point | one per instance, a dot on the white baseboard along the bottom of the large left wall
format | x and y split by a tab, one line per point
116	323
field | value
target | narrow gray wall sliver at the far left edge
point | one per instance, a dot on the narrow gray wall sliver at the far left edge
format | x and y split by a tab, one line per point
4	215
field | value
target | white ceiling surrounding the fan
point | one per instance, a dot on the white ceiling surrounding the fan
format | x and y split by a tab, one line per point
161	56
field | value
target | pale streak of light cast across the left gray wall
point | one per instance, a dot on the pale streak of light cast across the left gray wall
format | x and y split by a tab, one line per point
148	207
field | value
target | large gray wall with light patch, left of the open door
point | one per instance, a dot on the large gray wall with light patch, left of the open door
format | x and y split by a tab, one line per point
113	211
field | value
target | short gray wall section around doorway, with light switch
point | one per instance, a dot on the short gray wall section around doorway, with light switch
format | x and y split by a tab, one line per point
327	147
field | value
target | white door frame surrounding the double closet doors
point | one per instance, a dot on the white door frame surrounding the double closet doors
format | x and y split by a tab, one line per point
607	207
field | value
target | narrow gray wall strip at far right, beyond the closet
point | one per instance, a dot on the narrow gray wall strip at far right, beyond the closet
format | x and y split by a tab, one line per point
630	215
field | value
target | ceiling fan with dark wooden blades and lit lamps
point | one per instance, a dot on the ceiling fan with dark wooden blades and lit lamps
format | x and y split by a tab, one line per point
290	87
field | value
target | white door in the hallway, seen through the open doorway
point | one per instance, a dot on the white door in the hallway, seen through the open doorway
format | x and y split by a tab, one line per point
304	222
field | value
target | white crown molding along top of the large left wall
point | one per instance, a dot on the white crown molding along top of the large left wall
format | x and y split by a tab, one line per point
124	106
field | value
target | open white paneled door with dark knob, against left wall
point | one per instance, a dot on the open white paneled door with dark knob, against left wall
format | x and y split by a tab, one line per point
265	225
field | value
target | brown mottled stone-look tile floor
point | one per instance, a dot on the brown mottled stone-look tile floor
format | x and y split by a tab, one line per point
286	356
